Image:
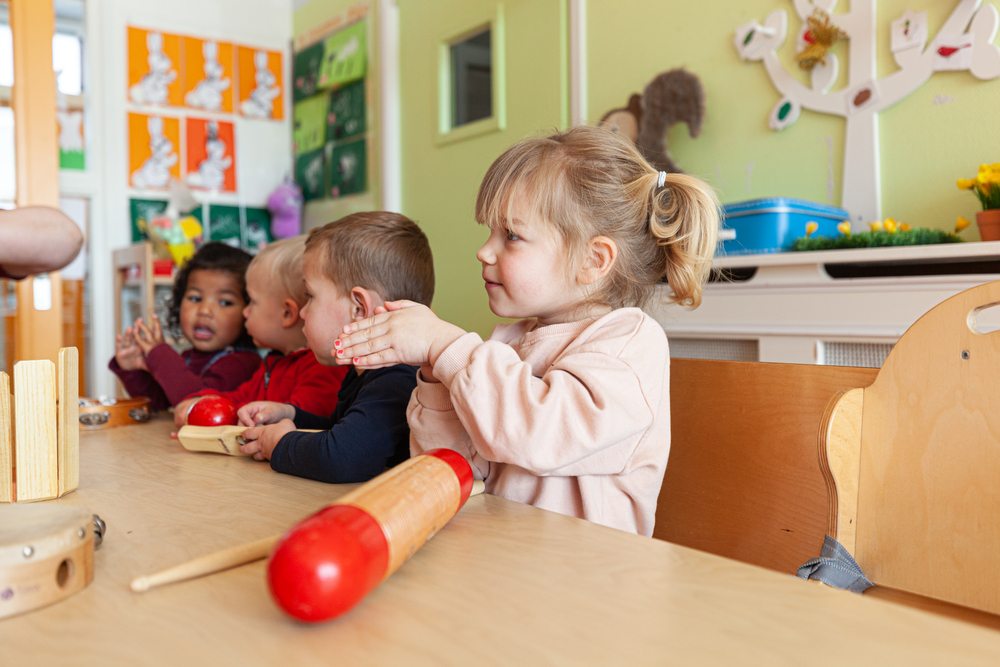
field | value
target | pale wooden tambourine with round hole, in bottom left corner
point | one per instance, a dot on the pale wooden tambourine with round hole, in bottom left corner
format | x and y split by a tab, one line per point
46	554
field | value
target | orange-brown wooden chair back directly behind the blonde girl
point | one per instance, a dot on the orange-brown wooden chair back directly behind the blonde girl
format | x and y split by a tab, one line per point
743	479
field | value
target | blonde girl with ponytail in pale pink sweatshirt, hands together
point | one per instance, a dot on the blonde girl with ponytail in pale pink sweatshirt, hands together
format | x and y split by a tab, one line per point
567	409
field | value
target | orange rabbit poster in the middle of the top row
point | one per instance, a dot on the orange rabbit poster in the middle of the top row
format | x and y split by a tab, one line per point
208	75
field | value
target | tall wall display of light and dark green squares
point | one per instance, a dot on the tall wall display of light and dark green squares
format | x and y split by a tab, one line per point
330	112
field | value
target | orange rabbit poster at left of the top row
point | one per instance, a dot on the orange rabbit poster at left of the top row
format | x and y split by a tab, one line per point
154	63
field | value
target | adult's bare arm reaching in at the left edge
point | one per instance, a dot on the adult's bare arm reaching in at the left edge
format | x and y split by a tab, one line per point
36	239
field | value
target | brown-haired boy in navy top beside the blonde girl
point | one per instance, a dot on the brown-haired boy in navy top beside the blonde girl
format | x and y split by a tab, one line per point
351	268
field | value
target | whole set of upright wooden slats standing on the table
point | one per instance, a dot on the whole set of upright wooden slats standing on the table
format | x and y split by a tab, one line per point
39	429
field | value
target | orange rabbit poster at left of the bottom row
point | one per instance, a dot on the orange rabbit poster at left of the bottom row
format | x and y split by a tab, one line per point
154	142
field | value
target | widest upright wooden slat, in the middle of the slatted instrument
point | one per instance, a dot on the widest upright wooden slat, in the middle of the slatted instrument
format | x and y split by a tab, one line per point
35	441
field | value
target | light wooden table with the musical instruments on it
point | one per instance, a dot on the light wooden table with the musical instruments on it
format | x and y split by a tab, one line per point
503	583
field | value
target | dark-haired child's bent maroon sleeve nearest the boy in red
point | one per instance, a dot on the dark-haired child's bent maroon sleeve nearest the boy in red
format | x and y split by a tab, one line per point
179	381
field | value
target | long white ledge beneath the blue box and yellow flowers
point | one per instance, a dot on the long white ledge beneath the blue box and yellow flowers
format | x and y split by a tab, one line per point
942	252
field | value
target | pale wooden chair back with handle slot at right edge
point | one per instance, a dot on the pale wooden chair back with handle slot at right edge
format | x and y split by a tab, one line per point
913	460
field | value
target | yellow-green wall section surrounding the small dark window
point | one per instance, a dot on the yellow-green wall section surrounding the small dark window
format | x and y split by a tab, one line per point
440	181
